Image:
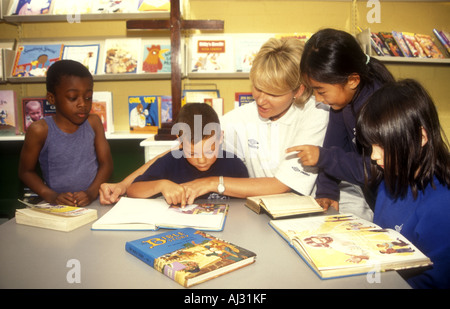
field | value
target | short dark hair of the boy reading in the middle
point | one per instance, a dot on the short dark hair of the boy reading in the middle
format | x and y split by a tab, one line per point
200	119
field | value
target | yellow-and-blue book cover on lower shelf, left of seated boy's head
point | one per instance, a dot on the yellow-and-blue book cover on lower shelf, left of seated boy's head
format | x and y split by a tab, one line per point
144	114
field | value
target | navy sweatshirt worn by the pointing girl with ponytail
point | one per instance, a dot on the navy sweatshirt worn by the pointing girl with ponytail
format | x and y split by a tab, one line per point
339	157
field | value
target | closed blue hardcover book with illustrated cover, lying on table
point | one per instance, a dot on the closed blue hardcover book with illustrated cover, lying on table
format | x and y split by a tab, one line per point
190	257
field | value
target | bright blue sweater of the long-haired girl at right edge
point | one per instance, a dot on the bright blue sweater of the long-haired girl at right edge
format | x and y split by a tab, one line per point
426	223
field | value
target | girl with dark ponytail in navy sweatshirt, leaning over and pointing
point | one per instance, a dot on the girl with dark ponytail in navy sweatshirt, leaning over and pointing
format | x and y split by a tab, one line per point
342	76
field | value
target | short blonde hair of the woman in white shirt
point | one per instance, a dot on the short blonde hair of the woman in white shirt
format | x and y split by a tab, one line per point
276	68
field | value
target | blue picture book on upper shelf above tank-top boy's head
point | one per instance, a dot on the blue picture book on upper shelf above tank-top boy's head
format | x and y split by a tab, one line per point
34	60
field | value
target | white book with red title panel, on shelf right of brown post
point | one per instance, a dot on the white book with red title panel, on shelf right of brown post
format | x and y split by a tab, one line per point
212	54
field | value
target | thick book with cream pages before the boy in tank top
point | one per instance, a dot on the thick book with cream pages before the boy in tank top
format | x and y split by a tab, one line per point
55	217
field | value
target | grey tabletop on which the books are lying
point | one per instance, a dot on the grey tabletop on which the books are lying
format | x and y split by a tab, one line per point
32	258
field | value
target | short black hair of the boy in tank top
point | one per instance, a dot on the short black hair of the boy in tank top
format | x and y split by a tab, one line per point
65	68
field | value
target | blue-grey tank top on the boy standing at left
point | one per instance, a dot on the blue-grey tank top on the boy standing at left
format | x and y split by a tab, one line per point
68	160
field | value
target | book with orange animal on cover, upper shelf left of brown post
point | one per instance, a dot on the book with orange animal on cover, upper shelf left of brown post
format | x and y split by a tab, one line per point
156	58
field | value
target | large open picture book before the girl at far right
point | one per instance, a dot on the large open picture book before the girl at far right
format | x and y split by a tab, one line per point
342	245
